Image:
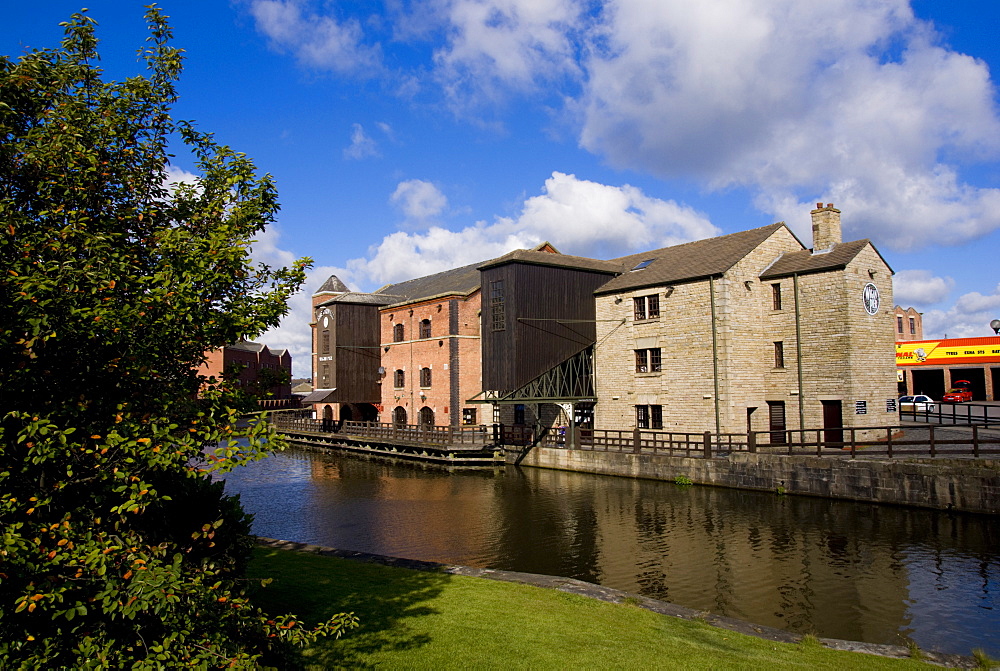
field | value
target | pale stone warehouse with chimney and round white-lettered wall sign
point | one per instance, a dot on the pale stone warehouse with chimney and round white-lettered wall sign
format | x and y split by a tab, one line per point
749	331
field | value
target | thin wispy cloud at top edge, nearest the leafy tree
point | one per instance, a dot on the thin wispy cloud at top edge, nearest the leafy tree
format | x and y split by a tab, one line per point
316	40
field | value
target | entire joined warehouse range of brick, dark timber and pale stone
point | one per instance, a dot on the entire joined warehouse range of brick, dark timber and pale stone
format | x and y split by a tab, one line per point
748	330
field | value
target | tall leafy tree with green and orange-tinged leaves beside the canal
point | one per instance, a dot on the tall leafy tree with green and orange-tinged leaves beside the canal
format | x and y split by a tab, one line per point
117	549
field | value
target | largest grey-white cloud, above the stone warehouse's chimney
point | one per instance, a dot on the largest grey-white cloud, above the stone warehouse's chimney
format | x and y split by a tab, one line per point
800	102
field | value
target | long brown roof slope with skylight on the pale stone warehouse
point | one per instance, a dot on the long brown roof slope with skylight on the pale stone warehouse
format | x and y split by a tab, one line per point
686	262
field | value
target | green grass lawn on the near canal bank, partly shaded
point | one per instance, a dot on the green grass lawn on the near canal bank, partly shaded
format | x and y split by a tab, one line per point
425	620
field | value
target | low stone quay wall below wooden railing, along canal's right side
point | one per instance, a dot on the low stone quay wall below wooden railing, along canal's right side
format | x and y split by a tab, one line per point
948	484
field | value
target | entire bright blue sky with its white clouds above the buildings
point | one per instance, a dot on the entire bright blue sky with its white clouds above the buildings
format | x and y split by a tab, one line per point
408	137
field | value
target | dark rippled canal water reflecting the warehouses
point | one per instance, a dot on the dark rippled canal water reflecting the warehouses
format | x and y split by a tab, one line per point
832	568
